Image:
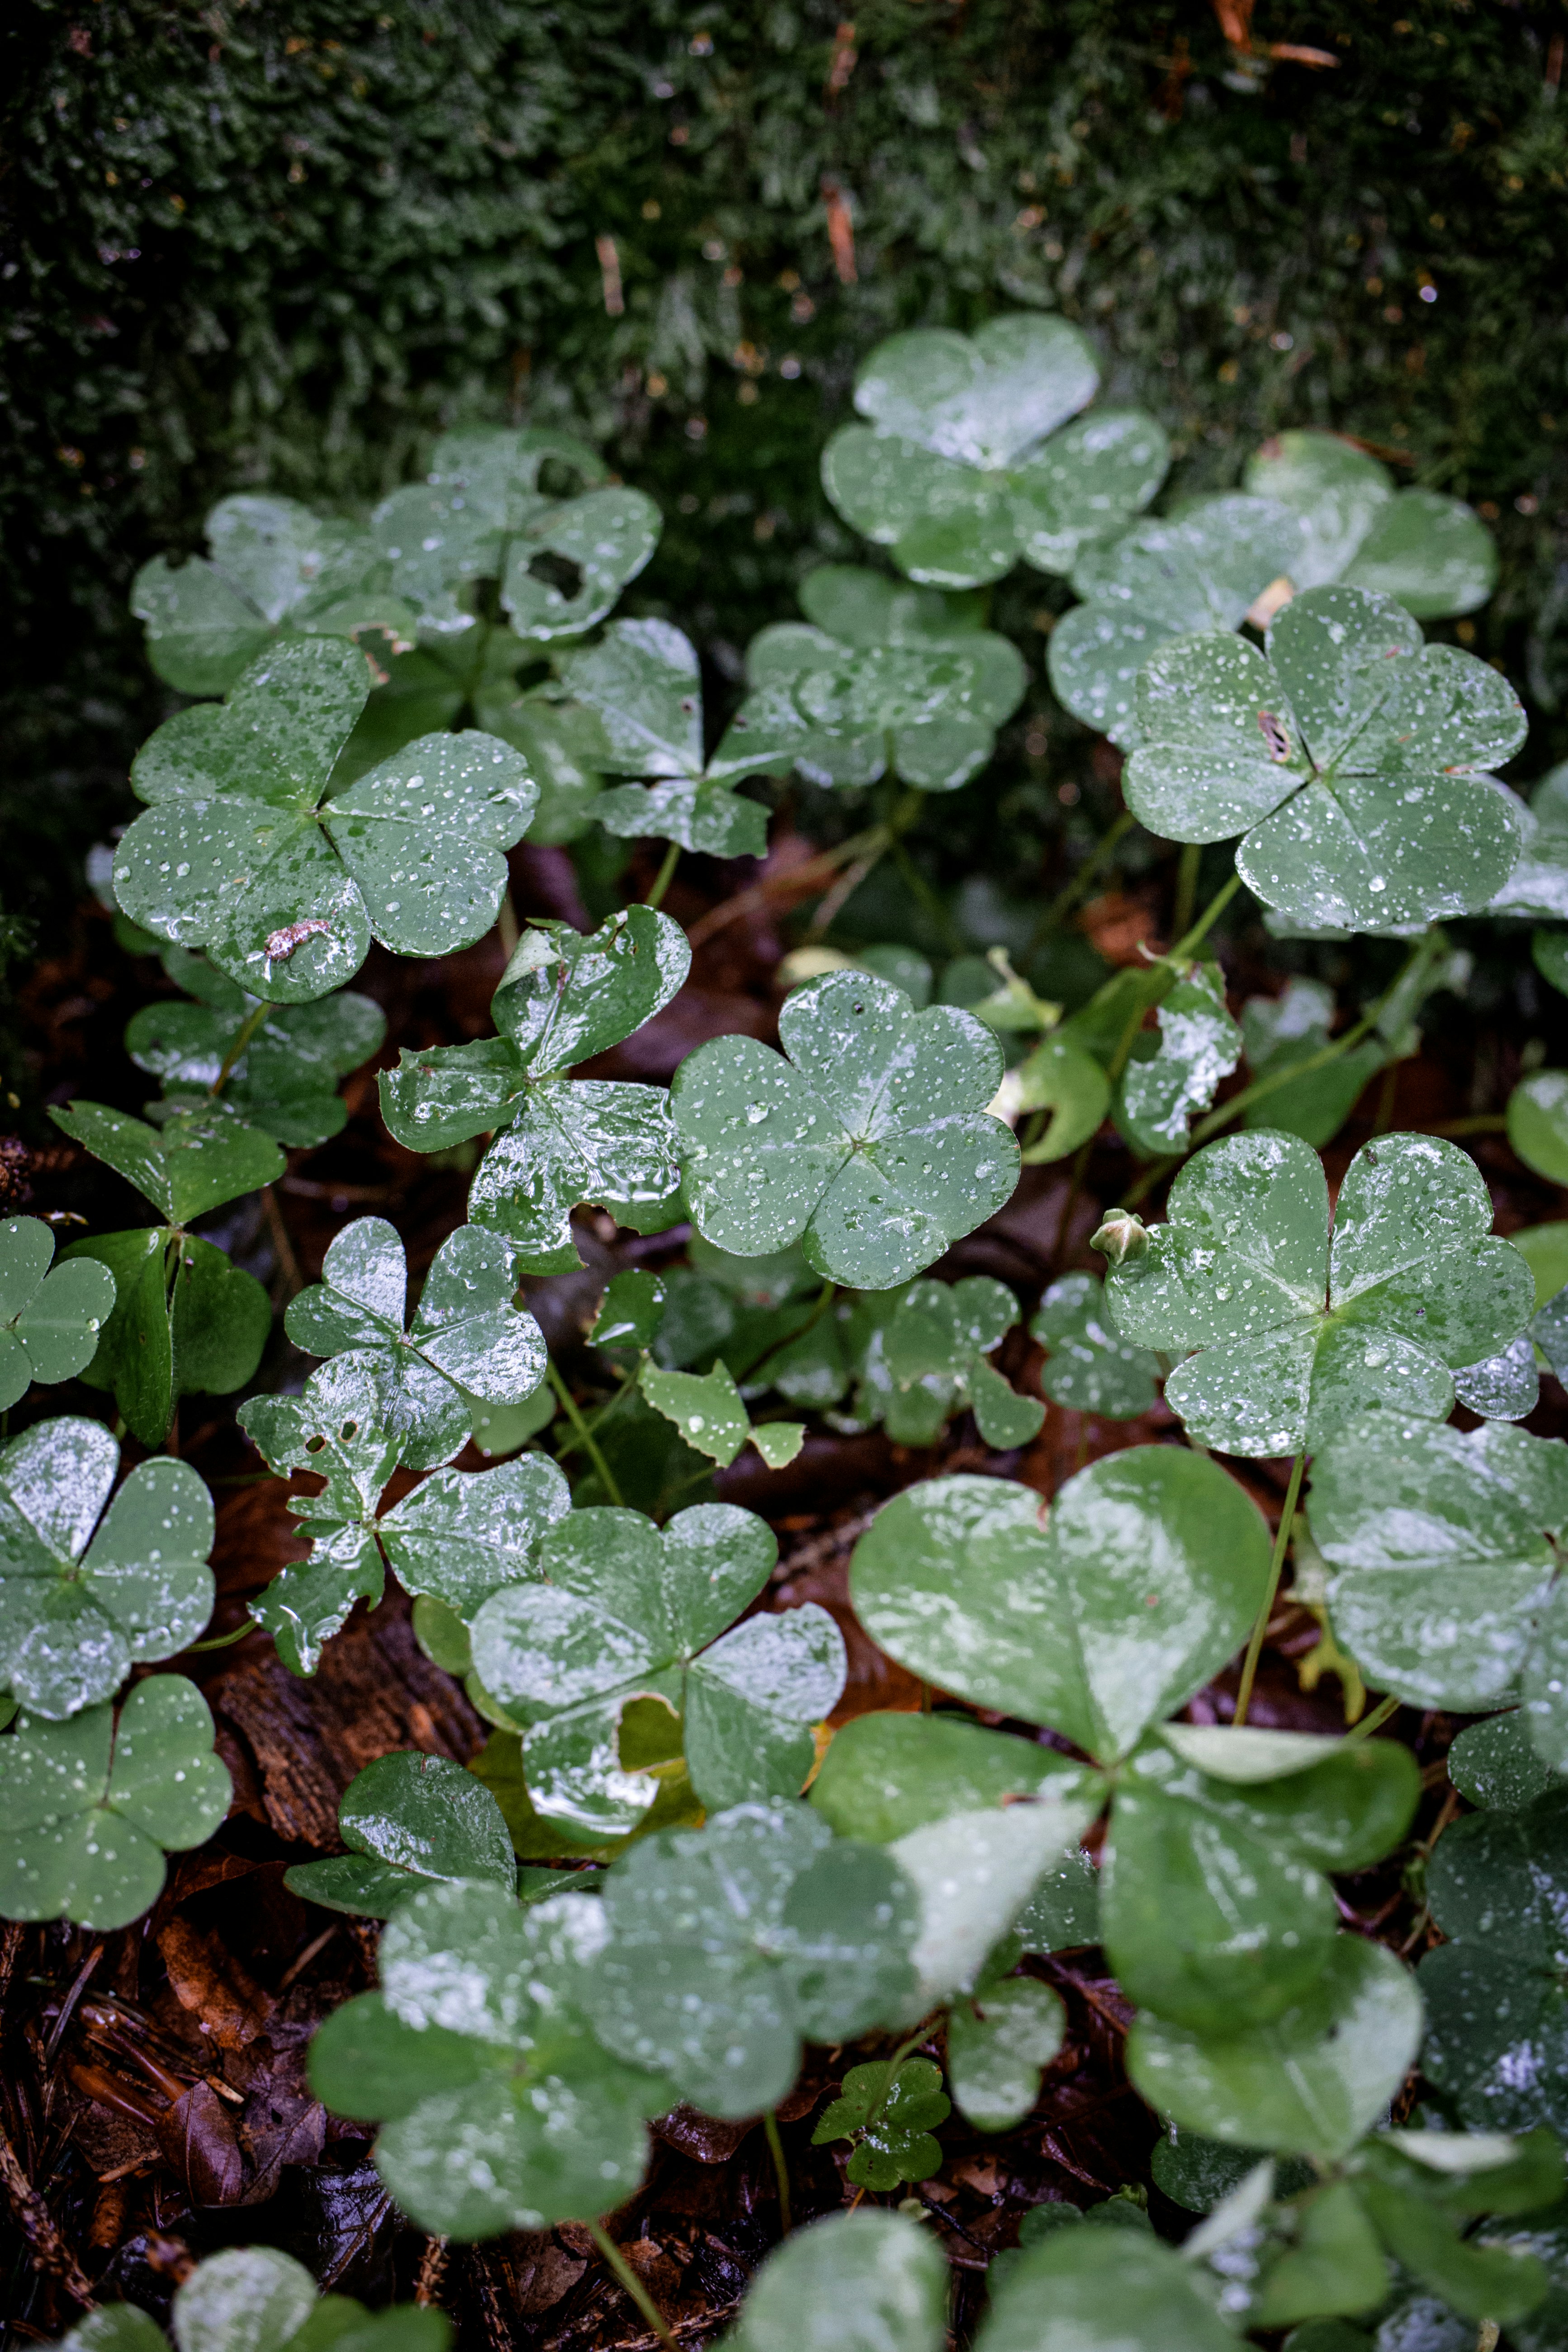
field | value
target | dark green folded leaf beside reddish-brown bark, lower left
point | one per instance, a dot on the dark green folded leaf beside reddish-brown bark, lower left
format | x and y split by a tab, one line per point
408	1819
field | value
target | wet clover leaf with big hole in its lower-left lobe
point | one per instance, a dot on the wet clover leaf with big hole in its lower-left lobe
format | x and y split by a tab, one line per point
629	1612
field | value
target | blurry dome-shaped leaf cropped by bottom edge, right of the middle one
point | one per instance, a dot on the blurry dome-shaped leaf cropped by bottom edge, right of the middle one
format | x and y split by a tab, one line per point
1104	2287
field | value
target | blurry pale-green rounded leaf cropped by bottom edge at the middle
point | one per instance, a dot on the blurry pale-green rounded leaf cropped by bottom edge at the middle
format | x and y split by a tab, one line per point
852	2283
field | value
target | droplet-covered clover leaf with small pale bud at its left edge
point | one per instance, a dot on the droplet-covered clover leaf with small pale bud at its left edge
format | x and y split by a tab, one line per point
1299	1332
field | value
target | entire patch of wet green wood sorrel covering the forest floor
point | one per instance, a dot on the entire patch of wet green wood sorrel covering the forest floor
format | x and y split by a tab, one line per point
382	714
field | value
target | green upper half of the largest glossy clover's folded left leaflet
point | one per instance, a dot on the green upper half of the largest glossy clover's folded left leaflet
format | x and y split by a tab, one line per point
890	1775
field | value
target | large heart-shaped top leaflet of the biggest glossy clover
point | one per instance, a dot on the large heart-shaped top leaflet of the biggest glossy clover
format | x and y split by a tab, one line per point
1139	1586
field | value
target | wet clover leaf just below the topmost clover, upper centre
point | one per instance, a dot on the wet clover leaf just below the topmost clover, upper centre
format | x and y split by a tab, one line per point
890	679
